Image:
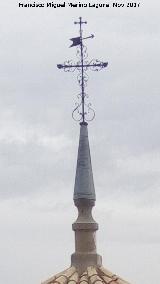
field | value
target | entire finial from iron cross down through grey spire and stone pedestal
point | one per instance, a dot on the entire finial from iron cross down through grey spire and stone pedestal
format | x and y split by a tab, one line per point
84	193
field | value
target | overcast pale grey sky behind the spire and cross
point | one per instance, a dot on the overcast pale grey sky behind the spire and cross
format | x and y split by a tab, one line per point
39	140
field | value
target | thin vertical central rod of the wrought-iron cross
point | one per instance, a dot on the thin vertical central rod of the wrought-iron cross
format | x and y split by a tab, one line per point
81	45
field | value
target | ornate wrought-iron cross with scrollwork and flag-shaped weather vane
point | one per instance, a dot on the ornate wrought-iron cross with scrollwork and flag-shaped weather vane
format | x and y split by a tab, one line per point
83	111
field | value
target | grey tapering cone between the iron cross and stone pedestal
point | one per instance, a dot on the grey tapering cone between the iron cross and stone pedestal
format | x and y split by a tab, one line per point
84	184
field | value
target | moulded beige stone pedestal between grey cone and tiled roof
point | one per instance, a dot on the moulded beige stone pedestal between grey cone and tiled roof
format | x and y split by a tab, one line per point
85	237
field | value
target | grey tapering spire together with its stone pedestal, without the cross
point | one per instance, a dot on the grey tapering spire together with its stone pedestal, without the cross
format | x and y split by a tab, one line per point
85	226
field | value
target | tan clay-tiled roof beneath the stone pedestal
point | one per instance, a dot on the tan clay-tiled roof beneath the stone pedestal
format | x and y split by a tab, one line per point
93	275
